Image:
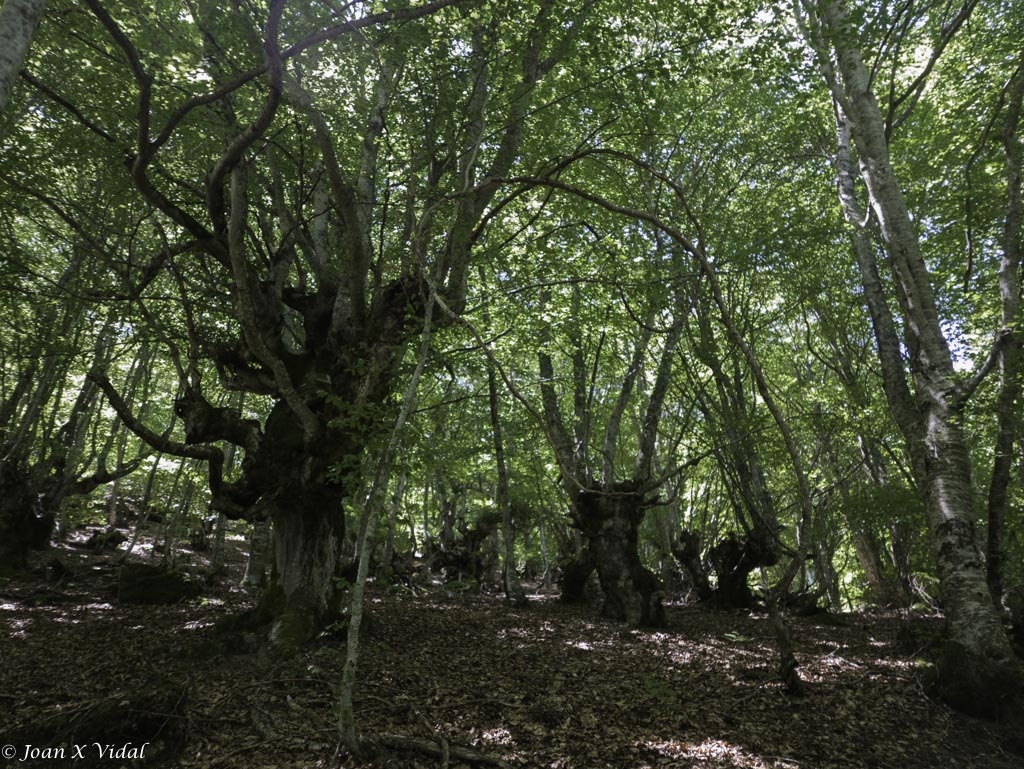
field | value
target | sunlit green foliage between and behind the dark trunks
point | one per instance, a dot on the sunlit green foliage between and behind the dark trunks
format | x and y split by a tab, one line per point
704	119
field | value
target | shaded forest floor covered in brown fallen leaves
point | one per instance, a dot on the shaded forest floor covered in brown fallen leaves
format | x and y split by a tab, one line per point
450	678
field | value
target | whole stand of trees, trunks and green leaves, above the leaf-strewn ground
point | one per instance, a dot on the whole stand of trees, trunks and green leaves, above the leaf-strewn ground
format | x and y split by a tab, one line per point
714	297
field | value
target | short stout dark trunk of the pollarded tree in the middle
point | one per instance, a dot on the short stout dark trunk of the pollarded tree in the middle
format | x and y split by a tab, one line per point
610	522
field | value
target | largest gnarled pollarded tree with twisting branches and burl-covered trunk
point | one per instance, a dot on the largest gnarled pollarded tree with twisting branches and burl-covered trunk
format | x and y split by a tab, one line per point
312	179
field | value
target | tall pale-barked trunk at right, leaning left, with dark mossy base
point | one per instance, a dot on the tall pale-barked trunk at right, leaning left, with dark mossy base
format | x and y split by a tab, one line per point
977	671
